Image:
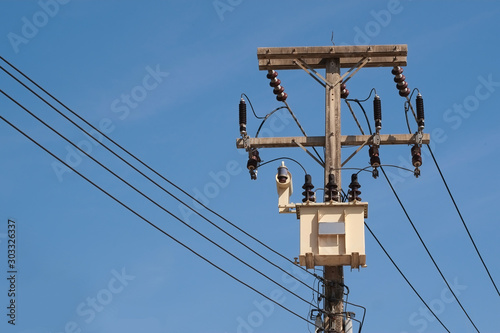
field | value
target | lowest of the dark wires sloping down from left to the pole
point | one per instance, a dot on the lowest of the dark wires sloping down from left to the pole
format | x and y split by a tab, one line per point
149	222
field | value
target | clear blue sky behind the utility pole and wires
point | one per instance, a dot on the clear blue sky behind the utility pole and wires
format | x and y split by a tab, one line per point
187	63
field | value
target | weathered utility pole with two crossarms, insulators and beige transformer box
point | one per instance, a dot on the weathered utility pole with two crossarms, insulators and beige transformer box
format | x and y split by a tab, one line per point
332	232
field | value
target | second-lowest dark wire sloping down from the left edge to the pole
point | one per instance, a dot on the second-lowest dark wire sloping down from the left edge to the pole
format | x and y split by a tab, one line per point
154	202
